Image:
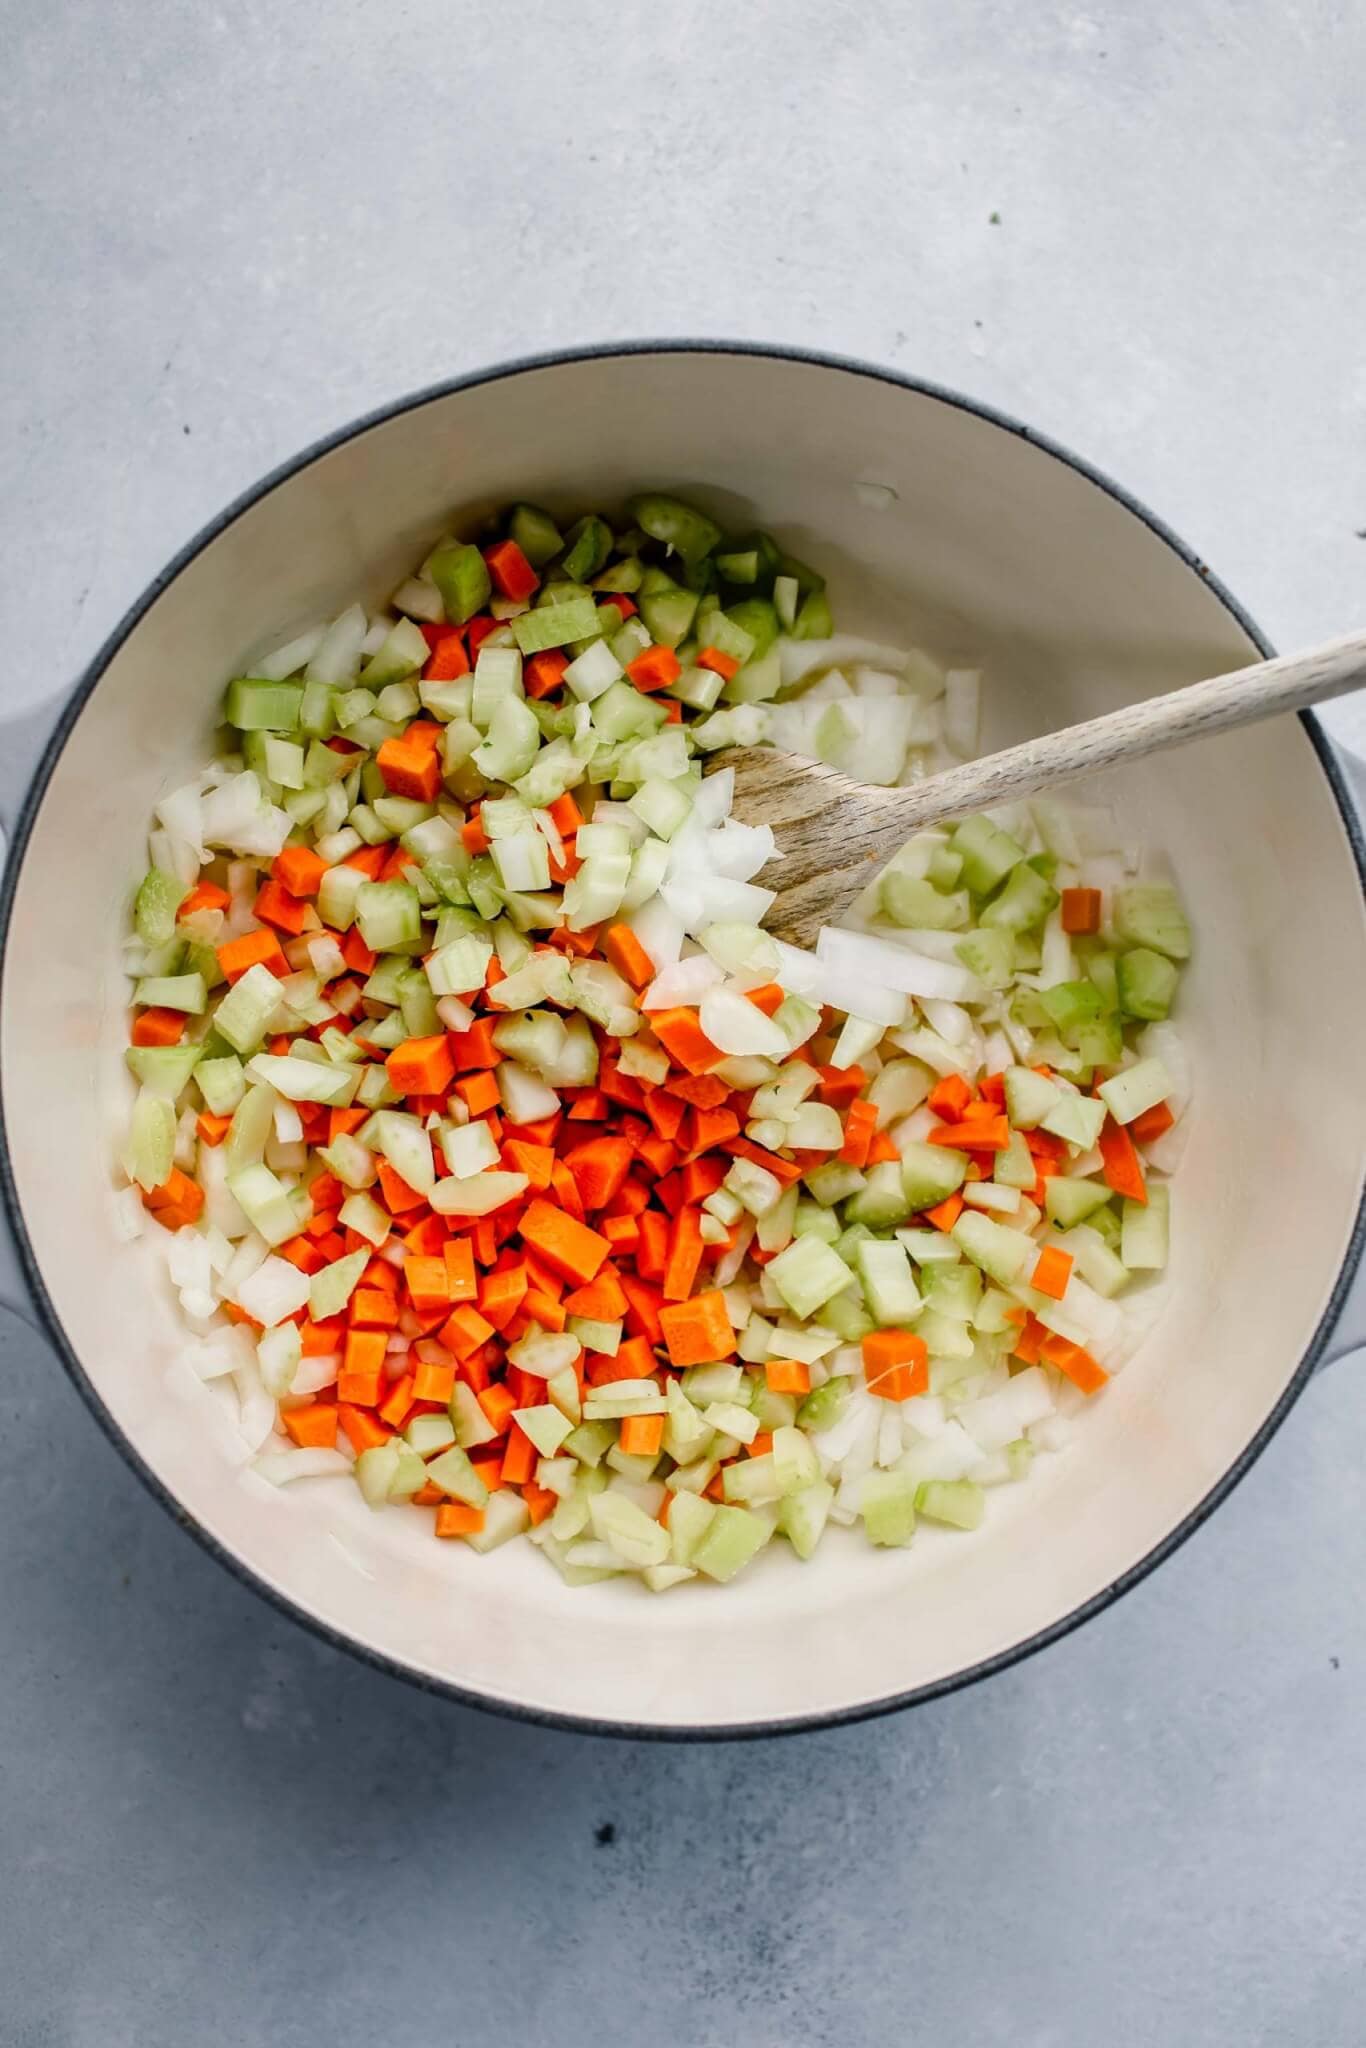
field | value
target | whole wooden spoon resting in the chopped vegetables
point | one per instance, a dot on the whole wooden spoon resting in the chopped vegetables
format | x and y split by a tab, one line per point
837	835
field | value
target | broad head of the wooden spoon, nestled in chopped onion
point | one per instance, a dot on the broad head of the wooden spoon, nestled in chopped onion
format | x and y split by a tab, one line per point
830	835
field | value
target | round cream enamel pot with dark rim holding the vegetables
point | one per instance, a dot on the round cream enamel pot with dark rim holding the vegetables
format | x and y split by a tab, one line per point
1076	601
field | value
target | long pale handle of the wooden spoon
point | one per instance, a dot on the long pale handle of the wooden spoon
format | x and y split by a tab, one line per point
1254	693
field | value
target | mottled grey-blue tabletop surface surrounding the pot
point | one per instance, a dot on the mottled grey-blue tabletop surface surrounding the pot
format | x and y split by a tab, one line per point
232	228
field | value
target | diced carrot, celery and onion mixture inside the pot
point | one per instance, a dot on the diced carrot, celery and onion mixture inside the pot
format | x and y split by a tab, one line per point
509	1164
